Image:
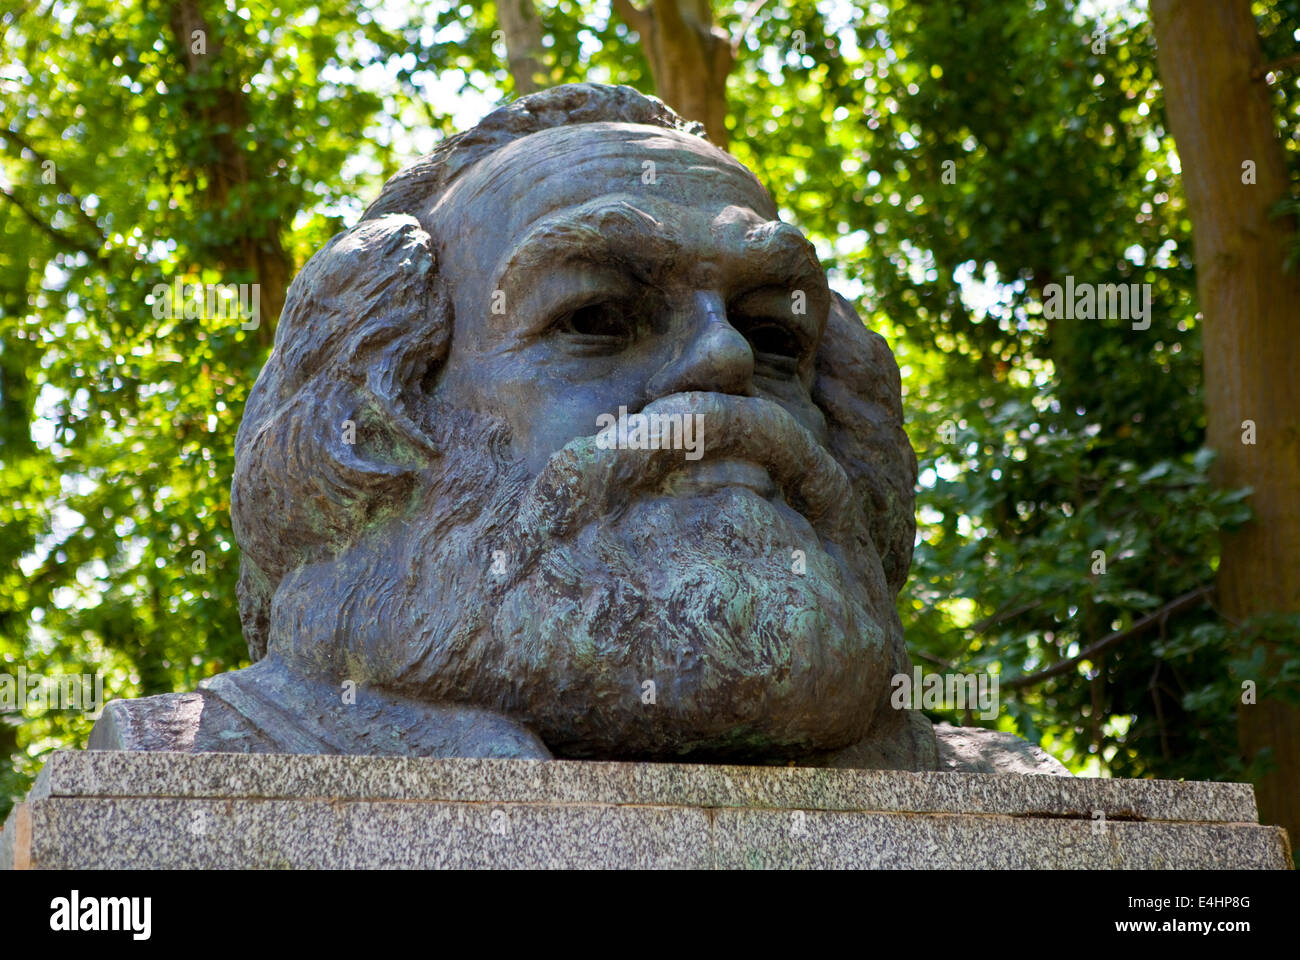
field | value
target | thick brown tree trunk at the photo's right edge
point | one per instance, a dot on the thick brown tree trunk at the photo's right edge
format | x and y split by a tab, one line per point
1221	119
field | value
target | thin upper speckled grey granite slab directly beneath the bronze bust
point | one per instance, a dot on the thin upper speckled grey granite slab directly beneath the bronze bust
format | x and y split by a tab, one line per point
227	776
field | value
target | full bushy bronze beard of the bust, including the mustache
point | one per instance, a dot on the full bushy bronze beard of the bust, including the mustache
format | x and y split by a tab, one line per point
613	617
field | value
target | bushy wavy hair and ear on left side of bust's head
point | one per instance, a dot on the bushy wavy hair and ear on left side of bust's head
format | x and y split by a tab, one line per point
326	434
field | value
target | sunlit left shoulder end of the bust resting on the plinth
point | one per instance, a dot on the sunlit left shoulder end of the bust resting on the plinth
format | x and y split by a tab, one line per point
184	723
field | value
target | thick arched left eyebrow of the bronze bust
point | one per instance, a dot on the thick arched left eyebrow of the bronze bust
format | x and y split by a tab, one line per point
601	231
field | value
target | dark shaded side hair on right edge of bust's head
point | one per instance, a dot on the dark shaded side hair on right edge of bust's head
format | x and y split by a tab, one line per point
860	392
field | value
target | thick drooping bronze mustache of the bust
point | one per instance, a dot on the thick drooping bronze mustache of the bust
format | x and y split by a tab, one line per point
588	478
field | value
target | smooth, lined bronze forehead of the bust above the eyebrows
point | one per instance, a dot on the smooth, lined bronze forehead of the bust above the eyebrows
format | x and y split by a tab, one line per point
570	166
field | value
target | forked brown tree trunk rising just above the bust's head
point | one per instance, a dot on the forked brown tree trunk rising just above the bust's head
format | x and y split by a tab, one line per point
690	59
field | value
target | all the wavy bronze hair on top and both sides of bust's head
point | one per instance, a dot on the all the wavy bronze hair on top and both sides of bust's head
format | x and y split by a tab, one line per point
336	429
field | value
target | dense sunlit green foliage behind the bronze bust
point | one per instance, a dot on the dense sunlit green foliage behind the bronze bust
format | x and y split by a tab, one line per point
950	159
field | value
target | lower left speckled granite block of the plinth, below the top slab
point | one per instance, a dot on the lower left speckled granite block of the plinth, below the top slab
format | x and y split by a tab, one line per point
315	834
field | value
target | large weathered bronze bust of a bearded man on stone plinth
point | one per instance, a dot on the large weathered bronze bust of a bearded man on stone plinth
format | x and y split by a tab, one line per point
449	548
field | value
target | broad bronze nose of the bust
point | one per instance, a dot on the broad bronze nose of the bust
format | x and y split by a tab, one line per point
716	358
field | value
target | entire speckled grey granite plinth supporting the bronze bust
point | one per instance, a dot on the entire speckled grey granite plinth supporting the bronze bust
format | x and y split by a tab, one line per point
211	811
